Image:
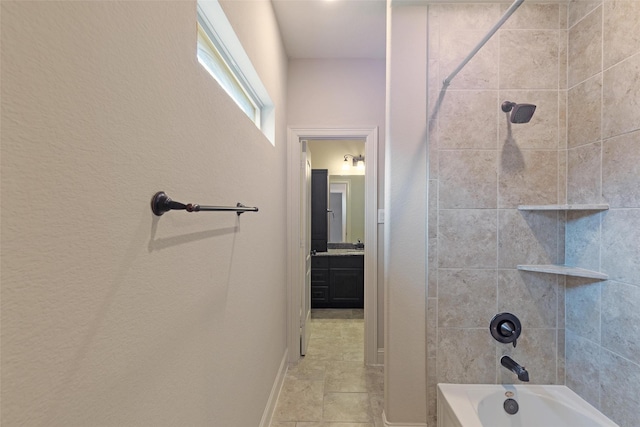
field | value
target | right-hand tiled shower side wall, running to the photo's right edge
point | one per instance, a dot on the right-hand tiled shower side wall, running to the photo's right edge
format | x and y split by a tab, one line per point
603	147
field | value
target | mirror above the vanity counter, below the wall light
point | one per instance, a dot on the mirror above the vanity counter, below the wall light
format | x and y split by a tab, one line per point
346	206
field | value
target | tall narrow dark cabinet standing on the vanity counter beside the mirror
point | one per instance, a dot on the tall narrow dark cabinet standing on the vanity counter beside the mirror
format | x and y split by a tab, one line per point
319	206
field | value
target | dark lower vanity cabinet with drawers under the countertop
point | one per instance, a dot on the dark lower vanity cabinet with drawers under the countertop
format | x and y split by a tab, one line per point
337	281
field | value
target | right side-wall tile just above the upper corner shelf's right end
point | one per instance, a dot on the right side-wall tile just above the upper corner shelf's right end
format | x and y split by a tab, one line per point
584	174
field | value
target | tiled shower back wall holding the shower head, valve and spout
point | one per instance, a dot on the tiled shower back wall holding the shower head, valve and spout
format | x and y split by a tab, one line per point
481	168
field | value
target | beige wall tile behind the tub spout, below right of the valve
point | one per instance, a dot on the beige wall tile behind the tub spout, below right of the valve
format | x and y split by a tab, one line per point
536	351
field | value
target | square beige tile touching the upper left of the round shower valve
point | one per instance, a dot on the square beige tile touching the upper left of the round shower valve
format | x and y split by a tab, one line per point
466	298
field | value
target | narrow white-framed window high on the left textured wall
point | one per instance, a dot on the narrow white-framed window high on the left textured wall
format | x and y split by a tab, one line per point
222	55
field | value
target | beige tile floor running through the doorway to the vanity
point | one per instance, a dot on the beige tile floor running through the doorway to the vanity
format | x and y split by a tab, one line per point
331	386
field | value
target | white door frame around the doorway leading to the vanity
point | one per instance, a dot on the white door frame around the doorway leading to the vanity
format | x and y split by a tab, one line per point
295	262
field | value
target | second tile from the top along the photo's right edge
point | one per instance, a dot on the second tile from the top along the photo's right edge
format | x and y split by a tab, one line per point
621	98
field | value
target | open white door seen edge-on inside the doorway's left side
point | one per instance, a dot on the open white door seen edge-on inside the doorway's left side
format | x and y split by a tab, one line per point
305	232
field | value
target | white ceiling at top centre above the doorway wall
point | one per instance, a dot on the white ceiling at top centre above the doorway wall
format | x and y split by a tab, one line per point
332	28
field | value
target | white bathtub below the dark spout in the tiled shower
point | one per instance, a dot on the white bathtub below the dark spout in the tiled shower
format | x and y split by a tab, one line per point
480	405
